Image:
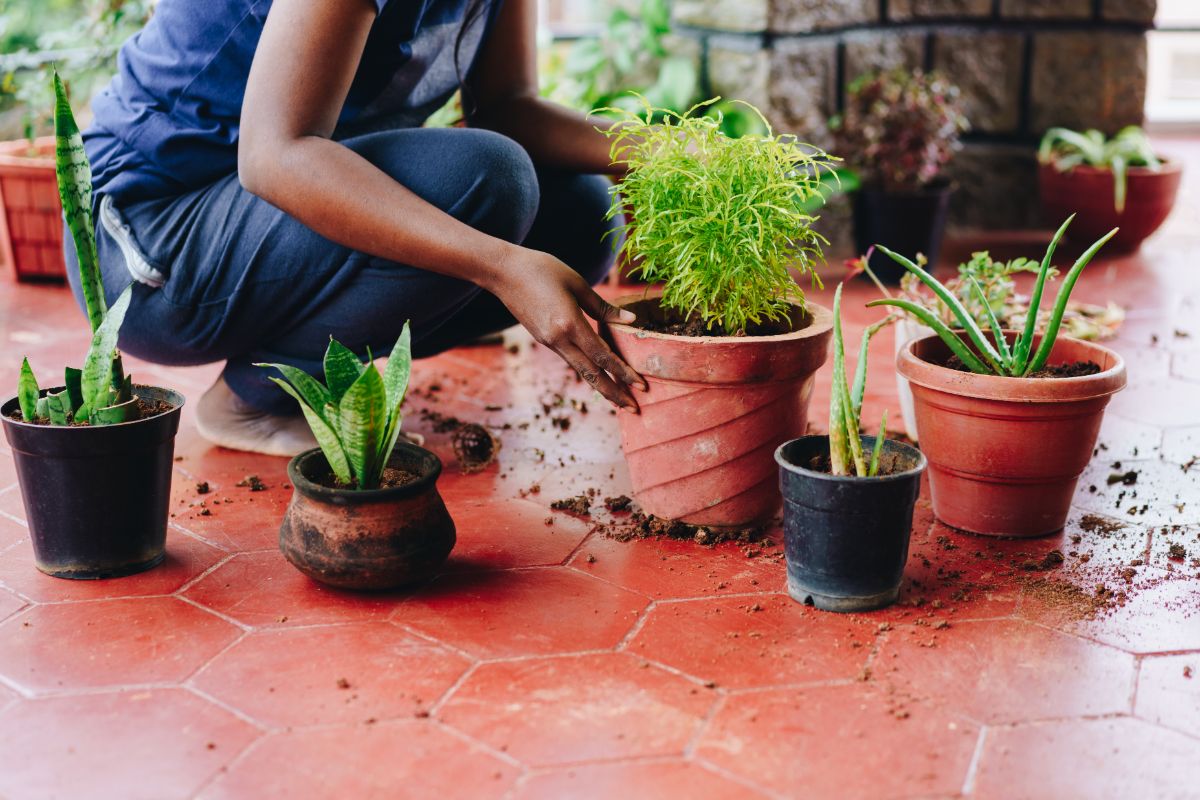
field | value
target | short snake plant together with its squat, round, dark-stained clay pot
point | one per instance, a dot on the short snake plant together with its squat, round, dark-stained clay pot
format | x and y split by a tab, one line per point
365	512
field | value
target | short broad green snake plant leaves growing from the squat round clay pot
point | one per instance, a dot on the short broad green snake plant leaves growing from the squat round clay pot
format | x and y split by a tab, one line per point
356	413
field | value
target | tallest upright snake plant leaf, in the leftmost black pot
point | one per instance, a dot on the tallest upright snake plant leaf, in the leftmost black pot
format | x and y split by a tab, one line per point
75	190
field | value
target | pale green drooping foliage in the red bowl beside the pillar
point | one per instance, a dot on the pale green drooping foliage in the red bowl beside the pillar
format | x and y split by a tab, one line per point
1131	147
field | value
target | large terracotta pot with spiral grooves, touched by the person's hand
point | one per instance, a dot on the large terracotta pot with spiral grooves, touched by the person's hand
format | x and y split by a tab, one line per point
703	448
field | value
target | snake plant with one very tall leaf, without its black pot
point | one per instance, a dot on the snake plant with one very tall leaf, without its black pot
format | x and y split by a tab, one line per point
100	393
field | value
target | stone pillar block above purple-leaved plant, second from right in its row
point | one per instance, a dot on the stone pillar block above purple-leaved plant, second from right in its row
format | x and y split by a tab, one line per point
988	69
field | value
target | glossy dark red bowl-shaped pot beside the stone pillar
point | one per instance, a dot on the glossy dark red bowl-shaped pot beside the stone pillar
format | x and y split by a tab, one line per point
1088	191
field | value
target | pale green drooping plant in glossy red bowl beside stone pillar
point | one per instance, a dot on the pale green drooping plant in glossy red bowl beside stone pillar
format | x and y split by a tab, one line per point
1111	183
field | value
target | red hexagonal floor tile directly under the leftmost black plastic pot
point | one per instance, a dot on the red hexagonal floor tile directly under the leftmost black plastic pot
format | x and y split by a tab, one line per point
187	560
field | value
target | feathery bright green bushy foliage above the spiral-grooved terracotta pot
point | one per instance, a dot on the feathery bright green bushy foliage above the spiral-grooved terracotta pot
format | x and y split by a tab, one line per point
718	221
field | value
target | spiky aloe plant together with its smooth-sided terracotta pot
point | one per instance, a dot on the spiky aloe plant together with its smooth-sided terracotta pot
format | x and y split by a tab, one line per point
1009	425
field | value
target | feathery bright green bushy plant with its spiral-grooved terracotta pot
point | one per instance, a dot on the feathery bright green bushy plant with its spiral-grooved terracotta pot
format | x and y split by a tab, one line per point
729	346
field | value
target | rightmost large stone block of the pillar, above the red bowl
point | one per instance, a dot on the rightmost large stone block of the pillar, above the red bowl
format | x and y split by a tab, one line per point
1087	80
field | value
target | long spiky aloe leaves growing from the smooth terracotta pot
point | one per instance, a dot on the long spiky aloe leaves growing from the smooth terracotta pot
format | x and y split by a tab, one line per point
997	357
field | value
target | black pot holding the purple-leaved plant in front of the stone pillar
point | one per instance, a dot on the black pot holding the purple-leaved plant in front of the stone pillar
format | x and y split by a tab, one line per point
908	222
